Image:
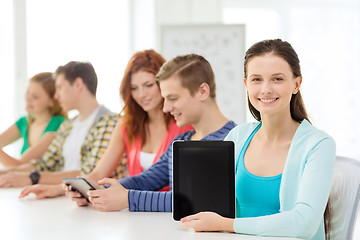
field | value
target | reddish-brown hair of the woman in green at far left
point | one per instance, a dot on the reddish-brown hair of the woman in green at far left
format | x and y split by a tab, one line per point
47	81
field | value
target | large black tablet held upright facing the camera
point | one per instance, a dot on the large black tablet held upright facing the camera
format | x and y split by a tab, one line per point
203	178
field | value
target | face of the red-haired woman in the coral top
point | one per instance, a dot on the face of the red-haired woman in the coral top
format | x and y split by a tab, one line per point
145	91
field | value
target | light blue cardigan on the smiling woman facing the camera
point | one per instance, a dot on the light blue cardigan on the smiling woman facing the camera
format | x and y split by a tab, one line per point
305	185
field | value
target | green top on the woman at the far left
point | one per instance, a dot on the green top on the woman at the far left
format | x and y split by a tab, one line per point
22	125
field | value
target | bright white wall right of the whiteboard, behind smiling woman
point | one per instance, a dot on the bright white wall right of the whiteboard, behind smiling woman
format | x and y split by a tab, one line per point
326	36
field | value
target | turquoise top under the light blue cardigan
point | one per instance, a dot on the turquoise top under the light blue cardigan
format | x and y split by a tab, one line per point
255	196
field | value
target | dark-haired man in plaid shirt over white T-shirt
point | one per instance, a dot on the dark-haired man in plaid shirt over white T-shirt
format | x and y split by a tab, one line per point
80	142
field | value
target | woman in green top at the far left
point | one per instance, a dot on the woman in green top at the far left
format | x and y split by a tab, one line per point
38	128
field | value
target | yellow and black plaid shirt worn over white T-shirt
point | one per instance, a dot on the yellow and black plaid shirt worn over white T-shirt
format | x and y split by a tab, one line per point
94	146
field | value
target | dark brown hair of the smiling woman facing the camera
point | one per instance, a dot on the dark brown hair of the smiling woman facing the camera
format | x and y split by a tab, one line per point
284	50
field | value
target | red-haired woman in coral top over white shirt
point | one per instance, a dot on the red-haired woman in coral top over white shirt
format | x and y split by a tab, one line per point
144	131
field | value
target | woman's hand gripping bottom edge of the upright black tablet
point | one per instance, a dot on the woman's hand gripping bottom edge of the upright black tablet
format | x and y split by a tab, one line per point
208	221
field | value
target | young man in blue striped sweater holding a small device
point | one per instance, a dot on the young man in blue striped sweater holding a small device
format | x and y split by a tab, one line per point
188	86
